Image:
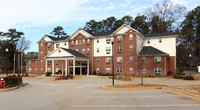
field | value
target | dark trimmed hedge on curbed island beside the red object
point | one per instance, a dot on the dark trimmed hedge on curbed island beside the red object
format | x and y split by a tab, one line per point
12	81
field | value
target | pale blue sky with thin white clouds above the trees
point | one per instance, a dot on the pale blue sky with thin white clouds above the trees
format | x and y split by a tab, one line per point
39	17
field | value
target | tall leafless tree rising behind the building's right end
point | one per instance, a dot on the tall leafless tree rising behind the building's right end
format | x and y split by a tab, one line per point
163	14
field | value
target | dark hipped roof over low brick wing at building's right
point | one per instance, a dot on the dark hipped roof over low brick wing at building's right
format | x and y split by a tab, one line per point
151	51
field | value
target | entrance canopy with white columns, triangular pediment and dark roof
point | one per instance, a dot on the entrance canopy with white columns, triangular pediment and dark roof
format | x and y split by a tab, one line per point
67	54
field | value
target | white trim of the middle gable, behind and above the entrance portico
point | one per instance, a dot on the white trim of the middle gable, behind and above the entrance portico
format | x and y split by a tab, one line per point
80	31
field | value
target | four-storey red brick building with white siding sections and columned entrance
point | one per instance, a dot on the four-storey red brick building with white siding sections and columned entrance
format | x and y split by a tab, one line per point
84	53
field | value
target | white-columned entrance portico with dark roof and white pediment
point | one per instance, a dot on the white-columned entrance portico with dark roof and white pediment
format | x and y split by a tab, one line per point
71	58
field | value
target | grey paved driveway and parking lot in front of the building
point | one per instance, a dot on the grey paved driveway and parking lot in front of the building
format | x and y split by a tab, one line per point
85	94
